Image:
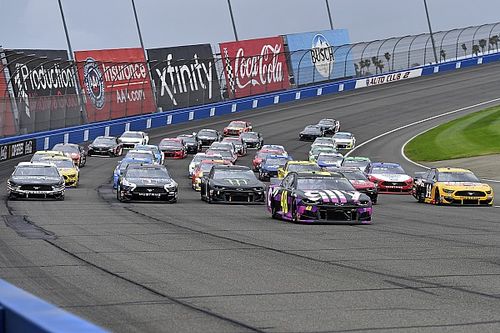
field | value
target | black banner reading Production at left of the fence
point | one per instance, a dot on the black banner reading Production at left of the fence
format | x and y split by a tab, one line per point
44	88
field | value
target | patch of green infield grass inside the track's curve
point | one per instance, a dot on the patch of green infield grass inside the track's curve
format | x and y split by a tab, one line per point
473	135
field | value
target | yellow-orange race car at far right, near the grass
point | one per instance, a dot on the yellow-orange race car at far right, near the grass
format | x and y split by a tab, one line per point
452	186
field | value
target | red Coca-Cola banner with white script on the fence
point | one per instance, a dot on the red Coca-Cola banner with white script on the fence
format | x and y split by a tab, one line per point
254	66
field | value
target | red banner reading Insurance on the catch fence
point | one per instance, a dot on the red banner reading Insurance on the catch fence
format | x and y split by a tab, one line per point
115	82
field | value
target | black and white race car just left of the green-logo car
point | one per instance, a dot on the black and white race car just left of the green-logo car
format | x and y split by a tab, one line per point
146	182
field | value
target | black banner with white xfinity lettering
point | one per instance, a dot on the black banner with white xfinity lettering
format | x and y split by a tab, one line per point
184	76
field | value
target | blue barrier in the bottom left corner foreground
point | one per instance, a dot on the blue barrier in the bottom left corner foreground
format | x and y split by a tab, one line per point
23	312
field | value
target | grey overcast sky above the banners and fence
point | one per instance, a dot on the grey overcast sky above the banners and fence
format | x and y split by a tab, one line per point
98	24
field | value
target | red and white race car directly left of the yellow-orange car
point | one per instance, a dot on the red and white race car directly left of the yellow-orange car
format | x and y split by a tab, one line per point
389	178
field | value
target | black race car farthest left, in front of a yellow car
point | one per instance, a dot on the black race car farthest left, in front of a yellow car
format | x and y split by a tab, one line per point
36	180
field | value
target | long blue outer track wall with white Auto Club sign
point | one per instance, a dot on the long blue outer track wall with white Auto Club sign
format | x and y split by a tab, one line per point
21	145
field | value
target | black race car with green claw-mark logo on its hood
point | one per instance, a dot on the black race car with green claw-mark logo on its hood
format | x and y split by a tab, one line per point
232	184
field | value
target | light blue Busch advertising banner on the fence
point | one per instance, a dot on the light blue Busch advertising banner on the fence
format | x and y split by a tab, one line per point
314	58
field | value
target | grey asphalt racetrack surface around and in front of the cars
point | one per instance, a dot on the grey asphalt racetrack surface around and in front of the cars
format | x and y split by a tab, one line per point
195	267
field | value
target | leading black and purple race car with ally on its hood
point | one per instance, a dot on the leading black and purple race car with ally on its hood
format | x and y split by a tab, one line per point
327	197
